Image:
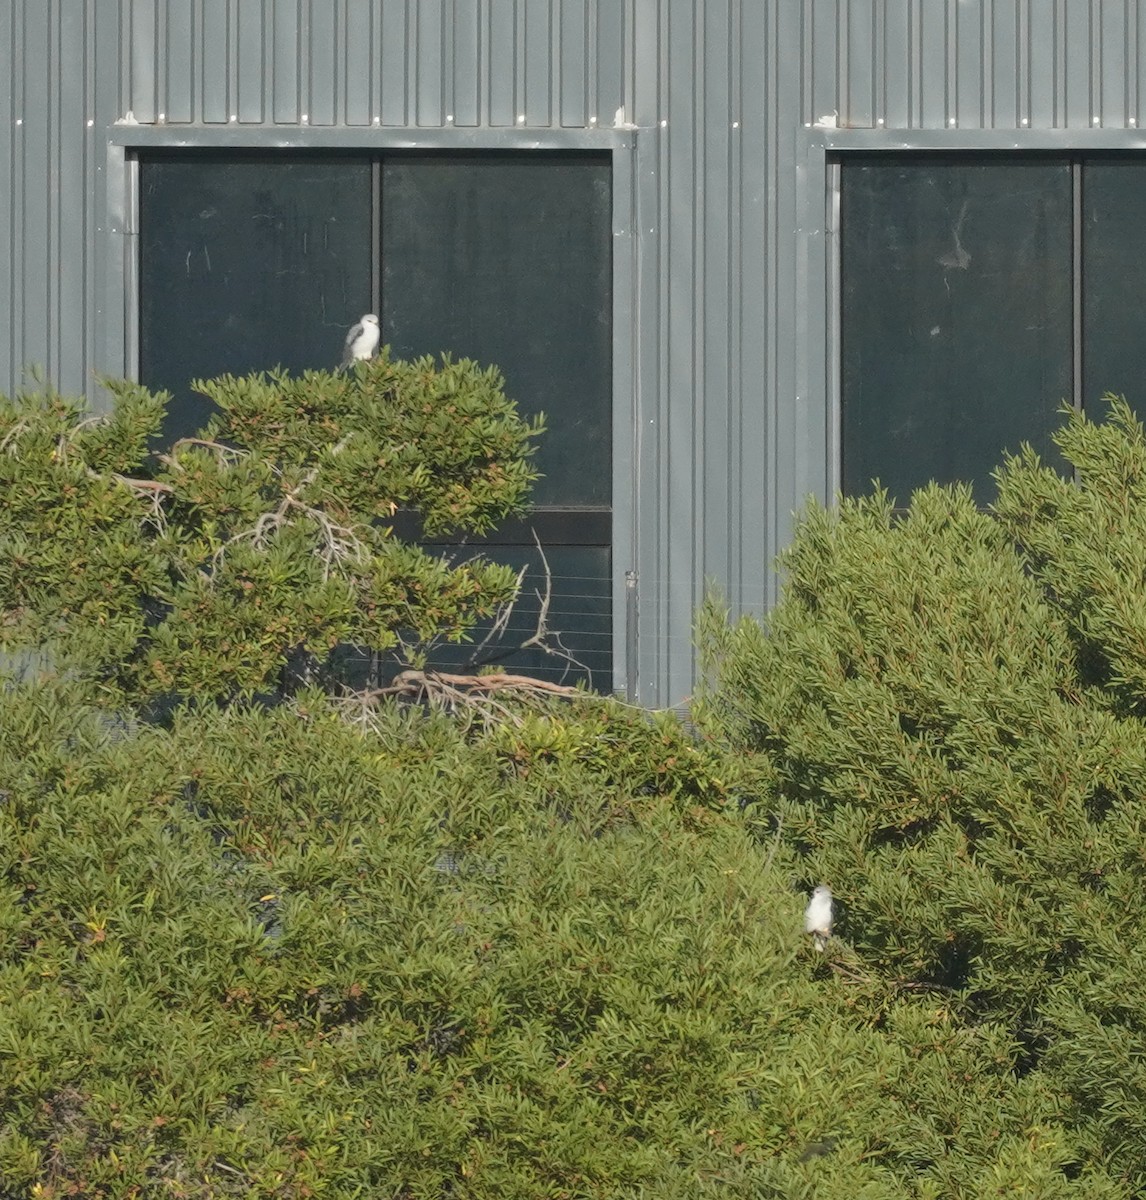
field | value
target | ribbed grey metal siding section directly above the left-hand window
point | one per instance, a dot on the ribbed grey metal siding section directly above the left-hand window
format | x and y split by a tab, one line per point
391	63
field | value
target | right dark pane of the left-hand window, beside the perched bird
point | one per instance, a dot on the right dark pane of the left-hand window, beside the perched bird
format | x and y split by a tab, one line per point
508	260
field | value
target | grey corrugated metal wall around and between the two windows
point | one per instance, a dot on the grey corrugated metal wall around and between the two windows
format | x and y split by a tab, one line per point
728	429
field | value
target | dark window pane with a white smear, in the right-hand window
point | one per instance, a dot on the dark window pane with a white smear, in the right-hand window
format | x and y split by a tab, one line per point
957	316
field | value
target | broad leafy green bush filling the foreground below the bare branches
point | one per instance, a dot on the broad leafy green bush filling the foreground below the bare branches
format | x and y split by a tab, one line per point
271	955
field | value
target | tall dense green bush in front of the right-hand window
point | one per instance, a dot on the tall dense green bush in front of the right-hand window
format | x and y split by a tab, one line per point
944	719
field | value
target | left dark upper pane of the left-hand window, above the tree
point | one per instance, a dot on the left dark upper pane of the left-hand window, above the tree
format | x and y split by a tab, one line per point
245	265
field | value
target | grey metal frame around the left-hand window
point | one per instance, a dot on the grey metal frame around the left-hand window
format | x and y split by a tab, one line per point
128	143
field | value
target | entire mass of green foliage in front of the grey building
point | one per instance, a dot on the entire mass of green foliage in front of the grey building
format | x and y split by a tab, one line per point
268	953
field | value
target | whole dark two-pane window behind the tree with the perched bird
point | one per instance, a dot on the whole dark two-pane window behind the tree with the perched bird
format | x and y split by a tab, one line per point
248	262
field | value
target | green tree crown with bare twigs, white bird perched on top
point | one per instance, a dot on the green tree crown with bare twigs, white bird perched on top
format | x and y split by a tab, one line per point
207	571
